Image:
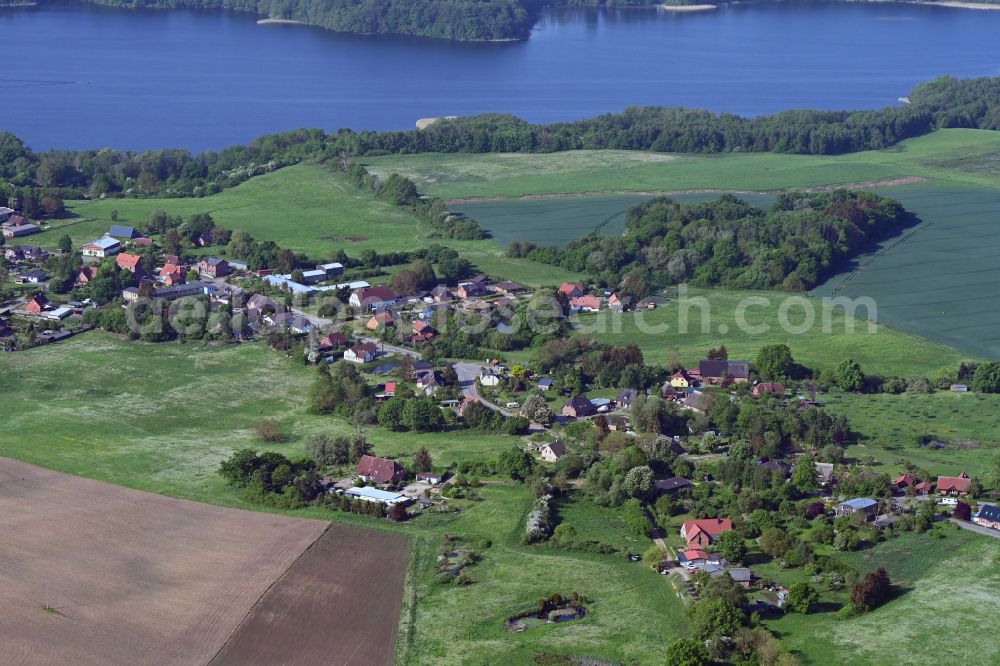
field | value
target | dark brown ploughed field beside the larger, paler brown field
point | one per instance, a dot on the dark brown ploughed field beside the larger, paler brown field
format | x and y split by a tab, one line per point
338	604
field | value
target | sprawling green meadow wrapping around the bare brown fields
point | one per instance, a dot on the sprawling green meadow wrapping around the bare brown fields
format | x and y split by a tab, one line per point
160	418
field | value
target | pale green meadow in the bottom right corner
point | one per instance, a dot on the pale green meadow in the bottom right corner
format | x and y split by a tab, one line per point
948	585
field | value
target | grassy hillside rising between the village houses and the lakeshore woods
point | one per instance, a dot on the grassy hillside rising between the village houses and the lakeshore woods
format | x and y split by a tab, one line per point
307	208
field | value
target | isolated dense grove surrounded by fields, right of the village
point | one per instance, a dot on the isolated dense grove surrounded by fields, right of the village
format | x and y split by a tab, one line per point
795	245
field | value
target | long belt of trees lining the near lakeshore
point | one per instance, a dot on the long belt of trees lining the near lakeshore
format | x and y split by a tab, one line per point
944	102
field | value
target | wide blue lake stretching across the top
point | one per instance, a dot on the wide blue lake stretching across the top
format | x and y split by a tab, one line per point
78	76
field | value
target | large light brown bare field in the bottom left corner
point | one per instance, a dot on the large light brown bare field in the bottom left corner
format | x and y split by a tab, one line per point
92	573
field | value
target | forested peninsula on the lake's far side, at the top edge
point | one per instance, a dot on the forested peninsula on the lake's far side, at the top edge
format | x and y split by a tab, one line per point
466	20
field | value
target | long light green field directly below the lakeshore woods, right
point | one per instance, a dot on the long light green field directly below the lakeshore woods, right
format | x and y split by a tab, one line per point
946	155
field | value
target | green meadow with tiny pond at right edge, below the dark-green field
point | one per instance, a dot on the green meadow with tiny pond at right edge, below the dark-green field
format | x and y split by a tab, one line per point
888	427
